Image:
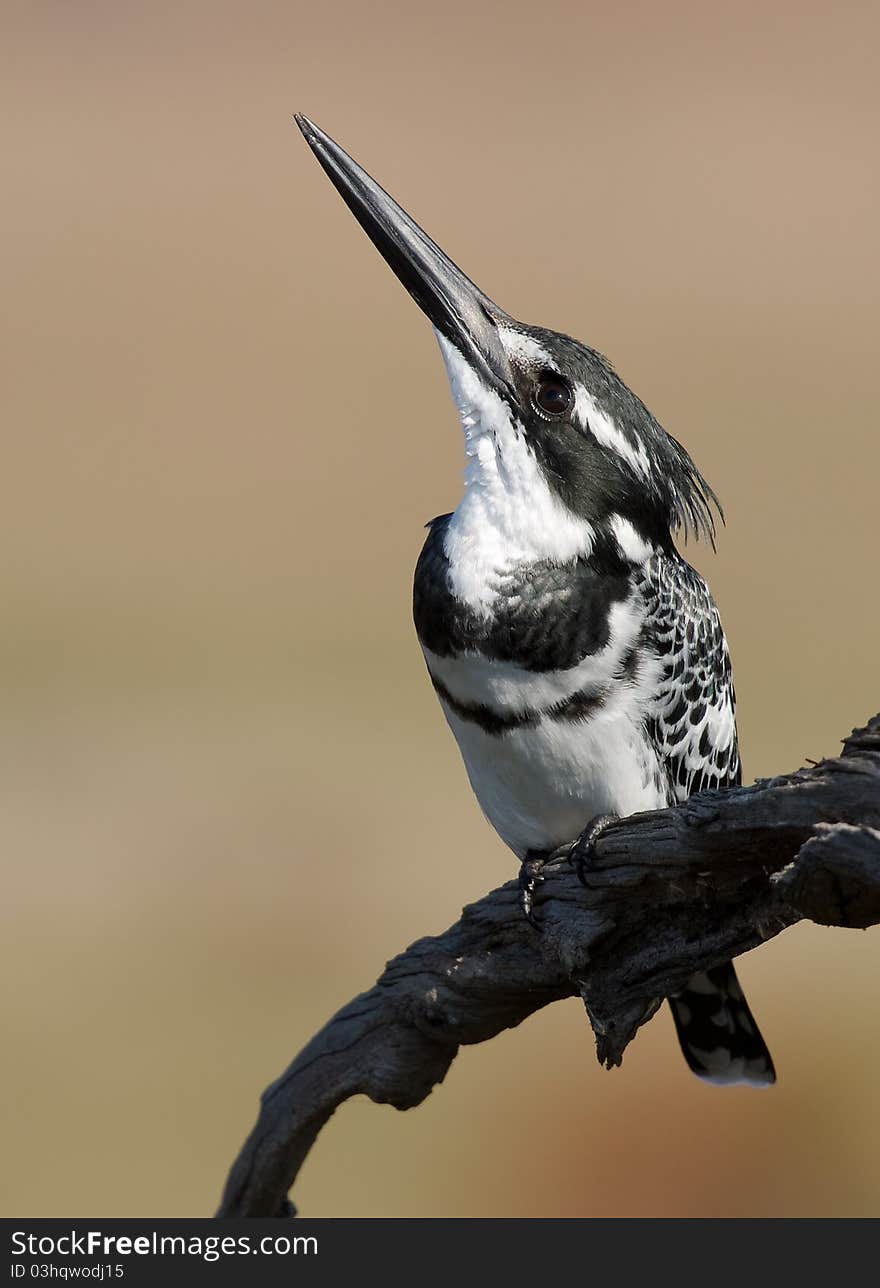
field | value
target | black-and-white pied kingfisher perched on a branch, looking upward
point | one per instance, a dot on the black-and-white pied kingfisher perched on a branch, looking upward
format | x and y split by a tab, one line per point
579	660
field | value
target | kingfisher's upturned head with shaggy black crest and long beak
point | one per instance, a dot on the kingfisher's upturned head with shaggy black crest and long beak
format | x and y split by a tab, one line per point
535	405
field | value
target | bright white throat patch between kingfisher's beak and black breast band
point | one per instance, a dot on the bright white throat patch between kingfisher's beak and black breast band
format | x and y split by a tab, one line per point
508	515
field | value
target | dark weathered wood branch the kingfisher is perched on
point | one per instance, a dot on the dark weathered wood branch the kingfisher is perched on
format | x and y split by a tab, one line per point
669	893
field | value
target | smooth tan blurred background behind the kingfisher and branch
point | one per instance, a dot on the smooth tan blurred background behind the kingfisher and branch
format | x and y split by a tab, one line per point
229	794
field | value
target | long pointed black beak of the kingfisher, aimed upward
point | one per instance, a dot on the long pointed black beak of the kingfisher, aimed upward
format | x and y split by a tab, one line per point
458	308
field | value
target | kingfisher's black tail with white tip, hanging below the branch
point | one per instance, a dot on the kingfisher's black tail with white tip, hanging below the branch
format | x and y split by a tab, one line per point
718	1034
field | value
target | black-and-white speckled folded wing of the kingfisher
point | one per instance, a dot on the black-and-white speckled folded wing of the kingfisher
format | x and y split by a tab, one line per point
693	718
